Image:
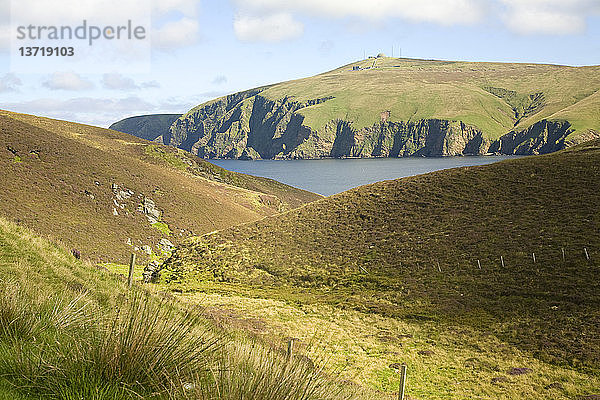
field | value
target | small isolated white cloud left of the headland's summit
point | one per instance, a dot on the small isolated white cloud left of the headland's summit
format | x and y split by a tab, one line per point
269	28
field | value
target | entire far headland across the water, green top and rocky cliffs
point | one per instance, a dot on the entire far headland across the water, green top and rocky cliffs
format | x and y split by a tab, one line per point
388	107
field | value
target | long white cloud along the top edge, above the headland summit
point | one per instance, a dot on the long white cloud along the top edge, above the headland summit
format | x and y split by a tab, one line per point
446	12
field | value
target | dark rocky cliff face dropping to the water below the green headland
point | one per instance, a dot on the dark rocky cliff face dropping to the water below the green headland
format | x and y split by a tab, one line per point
248	125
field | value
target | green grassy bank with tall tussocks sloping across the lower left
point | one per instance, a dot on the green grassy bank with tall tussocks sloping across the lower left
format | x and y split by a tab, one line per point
71	331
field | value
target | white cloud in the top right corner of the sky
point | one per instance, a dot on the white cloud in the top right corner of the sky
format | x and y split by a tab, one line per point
558	17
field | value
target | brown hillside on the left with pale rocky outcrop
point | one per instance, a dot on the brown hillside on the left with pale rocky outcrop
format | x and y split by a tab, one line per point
107	193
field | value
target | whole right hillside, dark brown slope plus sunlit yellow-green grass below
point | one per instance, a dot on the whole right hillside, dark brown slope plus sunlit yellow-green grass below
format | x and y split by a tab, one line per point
436	270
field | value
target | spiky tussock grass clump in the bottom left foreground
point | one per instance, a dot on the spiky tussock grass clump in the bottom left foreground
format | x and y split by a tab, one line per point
69	347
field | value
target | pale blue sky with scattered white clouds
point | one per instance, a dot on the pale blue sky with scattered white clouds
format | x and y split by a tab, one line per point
198	50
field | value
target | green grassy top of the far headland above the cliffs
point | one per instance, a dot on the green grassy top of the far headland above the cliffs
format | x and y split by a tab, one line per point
495	97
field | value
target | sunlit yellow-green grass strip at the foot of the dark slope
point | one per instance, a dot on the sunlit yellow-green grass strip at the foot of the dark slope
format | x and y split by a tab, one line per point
362	347
